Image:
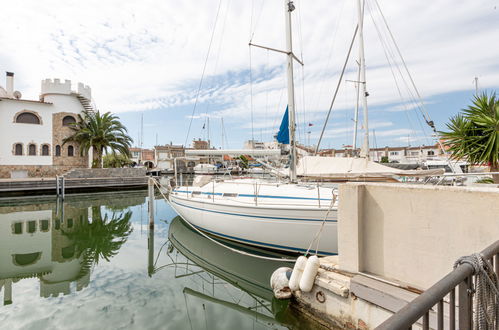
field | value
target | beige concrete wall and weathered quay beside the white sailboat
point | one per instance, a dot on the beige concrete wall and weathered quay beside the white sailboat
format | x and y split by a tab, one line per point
395	241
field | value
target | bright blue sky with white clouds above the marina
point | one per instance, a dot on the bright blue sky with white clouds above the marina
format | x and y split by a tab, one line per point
167	68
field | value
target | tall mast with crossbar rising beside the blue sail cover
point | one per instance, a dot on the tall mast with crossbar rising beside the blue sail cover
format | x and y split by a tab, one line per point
288	8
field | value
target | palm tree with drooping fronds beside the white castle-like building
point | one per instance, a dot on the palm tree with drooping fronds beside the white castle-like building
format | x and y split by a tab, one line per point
101	133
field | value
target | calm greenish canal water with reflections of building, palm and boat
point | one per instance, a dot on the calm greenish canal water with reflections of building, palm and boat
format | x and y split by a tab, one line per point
92	262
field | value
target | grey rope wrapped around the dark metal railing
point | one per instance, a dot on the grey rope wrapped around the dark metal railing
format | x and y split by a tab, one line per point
486	291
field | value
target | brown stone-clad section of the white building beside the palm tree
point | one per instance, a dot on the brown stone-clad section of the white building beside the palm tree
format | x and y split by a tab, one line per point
60	132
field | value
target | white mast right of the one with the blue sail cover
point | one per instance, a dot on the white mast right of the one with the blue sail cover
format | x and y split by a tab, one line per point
364	152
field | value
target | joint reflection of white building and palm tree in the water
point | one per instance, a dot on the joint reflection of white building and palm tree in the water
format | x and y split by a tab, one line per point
57	242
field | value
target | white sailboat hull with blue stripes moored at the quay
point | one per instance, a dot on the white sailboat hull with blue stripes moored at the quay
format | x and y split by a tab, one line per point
281	227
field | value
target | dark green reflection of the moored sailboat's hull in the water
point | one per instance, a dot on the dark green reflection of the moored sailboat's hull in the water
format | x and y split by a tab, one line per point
249	291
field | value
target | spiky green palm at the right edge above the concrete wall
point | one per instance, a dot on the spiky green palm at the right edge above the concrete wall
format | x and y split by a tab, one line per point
474	134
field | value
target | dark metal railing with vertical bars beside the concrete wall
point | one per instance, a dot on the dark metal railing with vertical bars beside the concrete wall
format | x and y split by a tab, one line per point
421	306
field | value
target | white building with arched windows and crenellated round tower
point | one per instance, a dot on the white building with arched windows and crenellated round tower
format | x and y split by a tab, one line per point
32	131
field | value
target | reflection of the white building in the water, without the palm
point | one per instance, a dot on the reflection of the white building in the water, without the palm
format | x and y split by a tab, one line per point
34	244
